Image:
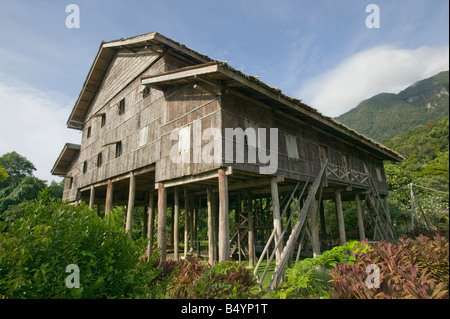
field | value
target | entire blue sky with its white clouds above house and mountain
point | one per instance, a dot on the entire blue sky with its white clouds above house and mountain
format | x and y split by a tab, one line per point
320	51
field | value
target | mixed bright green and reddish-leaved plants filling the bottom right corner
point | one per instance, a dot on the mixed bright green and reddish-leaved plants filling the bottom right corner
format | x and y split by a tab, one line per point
412	268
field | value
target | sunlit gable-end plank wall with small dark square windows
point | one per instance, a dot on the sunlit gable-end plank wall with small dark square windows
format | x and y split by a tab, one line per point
138	128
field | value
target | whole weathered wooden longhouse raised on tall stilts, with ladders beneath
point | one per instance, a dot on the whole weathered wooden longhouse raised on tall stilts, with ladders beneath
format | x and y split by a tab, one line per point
167	127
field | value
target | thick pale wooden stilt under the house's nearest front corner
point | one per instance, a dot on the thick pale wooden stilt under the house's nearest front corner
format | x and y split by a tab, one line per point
224	236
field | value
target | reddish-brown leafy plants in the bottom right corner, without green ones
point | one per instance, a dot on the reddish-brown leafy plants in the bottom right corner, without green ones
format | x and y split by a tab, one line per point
411	269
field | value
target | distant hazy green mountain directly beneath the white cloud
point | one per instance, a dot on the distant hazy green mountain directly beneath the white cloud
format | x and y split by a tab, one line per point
386	115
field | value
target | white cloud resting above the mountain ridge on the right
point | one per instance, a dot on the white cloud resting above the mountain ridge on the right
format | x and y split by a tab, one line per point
367	73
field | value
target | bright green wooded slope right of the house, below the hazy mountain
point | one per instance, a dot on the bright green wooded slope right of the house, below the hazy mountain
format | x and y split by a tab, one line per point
426	165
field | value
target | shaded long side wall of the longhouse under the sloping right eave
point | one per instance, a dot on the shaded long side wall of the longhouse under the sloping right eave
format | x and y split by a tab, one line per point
301	147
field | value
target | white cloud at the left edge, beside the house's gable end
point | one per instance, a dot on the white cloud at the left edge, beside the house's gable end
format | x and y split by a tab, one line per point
33	123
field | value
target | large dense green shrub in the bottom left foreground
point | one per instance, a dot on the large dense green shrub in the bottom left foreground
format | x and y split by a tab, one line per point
36	249
